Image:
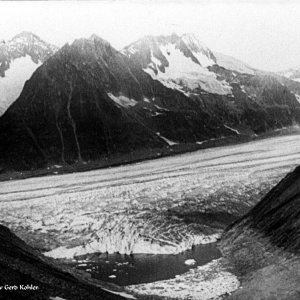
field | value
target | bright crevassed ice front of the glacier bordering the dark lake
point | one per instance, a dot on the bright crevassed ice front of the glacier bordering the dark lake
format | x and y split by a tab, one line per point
131	234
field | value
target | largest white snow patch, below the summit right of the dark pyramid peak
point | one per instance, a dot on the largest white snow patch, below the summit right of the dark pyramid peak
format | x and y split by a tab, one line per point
182	73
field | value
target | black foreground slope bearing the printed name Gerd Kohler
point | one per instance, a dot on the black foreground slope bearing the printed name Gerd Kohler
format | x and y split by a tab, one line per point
21	265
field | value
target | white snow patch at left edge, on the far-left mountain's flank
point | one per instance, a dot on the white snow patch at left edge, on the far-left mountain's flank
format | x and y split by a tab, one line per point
12	83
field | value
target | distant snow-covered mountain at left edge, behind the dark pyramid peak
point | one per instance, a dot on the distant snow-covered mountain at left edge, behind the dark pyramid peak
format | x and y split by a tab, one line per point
19	58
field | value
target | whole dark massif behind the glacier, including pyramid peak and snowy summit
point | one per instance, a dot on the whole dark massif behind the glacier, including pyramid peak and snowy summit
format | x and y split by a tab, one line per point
89	101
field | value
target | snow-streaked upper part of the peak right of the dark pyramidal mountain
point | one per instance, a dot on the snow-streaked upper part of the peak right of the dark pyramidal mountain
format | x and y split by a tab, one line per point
179	62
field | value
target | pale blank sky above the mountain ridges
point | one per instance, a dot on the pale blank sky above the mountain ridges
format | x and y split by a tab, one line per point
263	33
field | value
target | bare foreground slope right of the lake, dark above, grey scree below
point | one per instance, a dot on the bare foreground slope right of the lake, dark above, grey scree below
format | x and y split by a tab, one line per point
263	247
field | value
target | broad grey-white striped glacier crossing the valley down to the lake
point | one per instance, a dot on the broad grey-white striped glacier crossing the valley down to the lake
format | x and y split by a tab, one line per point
157	206
